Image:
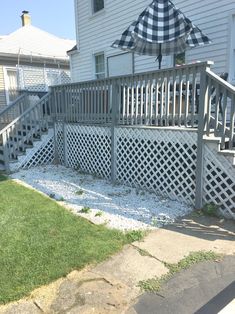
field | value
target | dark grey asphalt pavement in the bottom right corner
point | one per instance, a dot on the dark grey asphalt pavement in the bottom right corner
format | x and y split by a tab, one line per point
209	294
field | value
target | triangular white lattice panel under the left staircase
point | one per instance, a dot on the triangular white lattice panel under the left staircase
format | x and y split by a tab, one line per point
41	154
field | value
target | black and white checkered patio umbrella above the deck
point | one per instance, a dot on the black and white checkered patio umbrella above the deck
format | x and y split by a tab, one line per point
161	29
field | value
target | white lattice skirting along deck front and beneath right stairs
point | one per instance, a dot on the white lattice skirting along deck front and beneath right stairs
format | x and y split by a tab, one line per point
160	160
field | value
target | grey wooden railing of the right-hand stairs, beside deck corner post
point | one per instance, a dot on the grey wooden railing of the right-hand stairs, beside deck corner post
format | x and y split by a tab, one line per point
220	110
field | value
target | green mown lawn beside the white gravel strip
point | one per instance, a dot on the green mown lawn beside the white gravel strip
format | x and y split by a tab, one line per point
41	241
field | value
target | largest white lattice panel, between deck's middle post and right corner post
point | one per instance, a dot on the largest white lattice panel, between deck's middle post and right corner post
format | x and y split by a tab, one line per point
160	161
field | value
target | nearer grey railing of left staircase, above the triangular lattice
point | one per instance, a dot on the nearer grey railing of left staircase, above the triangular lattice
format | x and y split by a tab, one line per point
22	130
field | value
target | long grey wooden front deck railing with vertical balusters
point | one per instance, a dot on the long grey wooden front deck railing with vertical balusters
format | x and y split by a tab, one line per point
161	98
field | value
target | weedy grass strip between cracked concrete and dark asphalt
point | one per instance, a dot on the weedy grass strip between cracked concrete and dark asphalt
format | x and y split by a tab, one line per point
155	284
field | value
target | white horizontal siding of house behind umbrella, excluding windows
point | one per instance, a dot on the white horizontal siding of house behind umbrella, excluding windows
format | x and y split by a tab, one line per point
96	33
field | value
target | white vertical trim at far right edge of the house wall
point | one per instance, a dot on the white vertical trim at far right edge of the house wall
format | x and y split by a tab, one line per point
231	49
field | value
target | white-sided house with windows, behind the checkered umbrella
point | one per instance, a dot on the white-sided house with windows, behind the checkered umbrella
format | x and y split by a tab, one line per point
100	22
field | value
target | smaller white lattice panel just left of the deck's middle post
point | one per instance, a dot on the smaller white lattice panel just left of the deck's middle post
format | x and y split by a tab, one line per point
89	149
